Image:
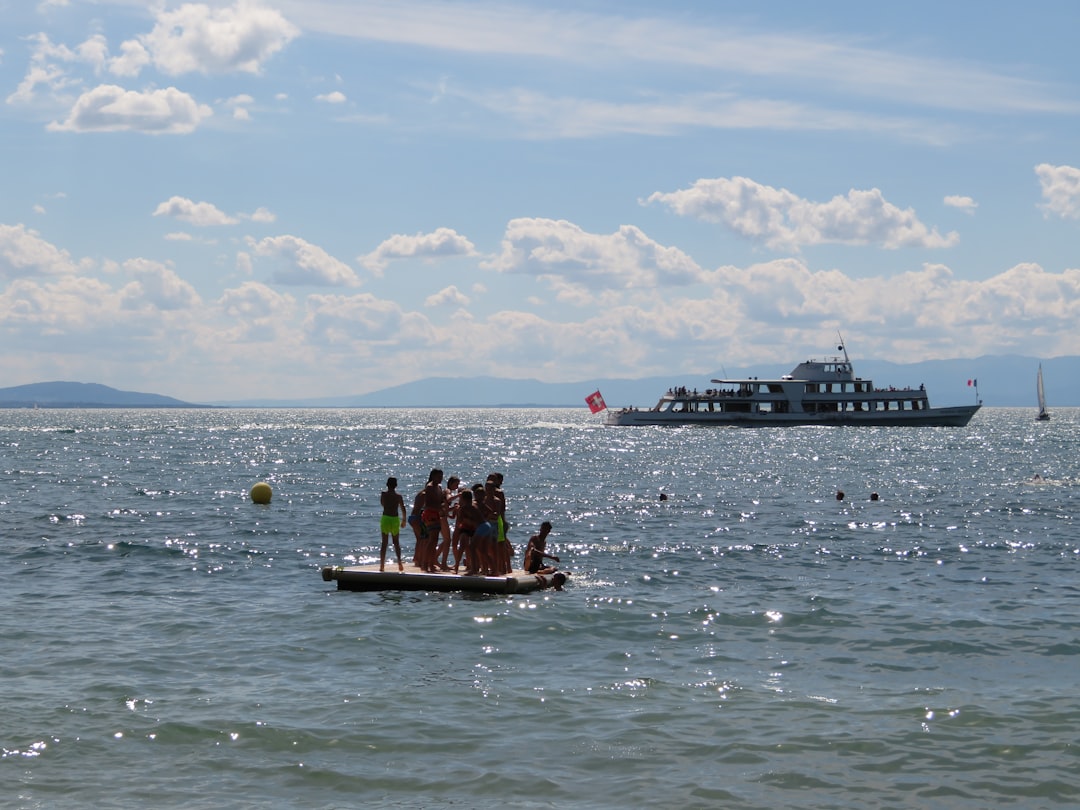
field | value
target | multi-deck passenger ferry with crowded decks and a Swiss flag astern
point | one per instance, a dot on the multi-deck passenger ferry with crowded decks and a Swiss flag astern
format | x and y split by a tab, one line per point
816	393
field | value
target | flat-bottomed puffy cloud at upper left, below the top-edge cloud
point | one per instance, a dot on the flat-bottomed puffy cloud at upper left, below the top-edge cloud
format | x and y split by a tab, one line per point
111	109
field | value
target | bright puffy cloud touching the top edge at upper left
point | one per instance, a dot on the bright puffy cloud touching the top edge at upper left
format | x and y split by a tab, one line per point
198	38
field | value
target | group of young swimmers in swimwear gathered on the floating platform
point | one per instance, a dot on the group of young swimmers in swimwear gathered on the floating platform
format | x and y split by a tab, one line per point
478	539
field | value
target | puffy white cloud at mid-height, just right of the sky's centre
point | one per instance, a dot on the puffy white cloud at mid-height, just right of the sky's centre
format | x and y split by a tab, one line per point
568	256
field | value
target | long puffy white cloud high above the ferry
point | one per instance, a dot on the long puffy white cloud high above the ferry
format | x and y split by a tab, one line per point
782	221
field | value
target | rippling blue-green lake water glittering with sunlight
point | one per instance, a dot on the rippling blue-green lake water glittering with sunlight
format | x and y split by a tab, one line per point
750	643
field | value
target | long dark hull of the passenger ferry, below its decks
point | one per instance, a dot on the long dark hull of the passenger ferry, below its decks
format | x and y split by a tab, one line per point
952	417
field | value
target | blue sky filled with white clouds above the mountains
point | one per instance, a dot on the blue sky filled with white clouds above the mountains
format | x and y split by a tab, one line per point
293	199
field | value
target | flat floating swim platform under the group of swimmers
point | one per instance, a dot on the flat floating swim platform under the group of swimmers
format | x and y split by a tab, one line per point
370	578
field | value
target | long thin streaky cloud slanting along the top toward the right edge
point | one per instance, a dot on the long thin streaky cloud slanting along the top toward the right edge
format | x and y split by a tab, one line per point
832	64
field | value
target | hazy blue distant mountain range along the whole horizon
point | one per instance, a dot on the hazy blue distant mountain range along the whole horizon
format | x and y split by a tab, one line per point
1003	382
